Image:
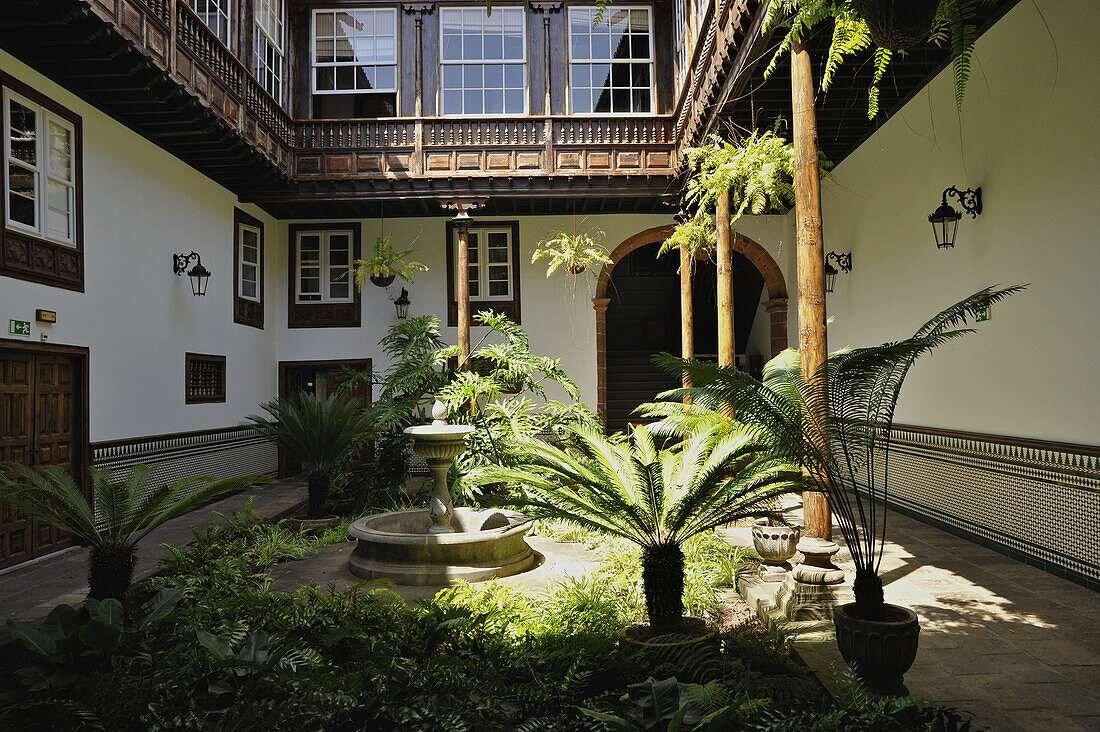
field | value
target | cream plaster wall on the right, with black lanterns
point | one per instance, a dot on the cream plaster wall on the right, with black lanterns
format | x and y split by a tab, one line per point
1028	136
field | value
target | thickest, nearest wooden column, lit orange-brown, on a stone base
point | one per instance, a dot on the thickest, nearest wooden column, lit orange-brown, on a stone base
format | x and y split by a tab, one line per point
813	345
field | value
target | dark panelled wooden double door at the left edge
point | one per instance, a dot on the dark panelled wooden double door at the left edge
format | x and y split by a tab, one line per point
43	422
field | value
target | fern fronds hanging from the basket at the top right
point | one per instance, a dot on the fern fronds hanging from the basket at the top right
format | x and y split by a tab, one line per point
953	27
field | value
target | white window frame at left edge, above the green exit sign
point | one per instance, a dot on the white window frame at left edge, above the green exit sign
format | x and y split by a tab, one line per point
43	118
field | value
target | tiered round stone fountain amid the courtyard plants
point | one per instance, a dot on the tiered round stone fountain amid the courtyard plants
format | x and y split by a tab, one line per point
441	544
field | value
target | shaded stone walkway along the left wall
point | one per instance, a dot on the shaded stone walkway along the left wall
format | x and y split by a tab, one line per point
30	592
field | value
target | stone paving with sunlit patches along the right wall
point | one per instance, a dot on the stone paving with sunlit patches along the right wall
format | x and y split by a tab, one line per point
1013	644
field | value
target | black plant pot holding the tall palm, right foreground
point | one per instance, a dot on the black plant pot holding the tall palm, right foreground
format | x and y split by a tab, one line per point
882	651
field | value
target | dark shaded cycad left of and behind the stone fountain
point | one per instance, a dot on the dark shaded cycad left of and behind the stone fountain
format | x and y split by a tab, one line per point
323	435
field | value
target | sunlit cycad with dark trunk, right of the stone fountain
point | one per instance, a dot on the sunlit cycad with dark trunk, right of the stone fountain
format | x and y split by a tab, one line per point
656	498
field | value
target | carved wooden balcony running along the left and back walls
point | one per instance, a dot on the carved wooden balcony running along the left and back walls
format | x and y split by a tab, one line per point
158	68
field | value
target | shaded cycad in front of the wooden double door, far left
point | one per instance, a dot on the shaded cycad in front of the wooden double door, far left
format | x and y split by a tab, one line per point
128	511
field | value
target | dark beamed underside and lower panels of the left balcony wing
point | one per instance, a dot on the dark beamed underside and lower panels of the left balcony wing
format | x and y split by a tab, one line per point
119	57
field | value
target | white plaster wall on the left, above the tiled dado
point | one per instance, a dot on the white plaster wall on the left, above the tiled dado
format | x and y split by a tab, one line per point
138	319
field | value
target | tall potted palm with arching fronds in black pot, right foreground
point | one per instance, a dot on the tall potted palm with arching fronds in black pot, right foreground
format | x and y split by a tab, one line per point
837	424
